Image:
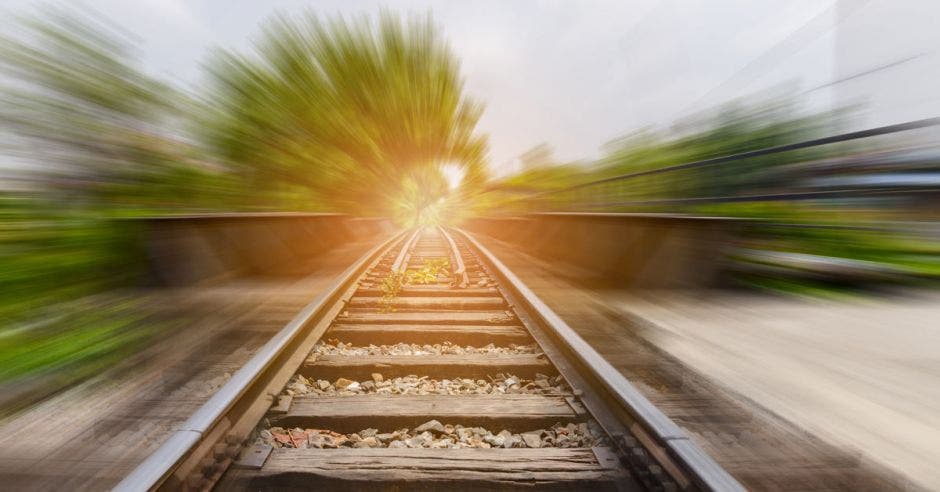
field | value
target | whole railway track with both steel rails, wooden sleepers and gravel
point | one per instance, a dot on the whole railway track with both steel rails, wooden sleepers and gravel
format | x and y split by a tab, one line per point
428	364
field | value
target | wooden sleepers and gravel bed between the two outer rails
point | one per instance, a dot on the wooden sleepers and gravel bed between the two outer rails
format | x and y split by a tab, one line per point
410	406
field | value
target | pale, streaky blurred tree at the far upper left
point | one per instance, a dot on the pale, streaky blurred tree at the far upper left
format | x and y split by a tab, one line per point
94	129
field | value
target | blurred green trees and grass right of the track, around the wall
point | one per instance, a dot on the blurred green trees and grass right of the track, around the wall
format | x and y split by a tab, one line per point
829	253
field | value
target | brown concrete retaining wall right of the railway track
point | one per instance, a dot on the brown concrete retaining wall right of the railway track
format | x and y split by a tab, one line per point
628	250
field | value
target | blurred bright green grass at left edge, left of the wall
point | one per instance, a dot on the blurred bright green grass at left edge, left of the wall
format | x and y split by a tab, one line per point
56	328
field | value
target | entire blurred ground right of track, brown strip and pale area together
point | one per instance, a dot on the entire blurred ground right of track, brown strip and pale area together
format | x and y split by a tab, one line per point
786	394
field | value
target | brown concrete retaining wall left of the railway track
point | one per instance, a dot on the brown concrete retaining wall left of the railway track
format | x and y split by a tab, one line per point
185	250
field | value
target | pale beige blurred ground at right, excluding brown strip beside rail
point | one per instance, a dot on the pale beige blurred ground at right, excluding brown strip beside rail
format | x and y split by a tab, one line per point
864	374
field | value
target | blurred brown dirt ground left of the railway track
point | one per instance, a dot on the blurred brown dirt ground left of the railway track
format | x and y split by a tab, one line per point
91	435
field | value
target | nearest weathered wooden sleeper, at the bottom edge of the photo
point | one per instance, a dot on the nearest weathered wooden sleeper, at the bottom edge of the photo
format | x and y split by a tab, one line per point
421	469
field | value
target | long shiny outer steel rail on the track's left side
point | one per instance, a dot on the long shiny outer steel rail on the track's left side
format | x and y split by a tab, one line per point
160	465
